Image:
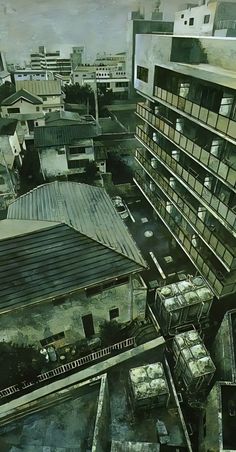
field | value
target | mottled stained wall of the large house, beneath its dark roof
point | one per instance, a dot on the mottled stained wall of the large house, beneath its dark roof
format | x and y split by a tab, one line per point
48	318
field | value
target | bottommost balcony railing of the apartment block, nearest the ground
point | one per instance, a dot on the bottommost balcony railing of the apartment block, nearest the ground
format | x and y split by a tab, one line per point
177	230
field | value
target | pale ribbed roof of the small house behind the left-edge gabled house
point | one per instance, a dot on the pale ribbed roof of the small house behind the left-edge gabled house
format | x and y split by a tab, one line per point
40	87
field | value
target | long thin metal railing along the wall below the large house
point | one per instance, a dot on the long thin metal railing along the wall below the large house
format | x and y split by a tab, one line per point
65	368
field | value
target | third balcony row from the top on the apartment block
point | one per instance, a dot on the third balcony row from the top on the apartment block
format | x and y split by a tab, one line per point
219	209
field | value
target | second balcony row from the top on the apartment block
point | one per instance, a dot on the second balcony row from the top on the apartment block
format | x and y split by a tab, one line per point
222	170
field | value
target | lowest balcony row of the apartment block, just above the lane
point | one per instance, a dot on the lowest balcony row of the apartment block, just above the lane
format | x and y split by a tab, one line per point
218	281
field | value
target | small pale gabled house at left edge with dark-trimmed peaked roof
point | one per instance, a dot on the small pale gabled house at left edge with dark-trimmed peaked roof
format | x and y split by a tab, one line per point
21	102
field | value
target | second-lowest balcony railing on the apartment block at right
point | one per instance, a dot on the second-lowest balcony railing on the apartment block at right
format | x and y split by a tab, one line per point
217	246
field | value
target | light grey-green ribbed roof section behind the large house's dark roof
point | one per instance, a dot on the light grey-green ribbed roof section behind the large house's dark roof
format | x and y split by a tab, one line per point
86	208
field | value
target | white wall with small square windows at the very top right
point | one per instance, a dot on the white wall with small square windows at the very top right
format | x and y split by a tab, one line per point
182	26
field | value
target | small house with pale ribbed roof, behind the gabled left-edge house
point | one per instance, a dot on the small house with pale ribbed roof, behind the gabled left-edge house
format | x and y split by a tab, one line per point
49	91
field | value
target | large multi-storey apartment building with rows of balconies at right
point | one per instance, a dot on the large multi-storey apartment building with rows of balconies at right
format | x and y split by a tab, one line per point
187	162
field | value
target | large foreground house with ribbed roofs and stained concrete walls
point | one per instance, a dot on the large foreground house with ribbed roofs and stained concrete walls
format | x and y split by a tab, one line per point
69	264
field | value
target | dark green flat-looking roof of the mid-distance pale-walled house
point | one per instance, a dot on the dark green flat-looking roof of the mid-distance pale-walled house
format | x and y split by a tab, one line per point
47	136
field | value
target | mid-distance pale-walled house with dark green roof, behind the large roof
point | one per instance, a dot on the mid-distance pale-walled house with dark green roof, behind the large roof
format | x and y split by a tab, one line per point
66	149
